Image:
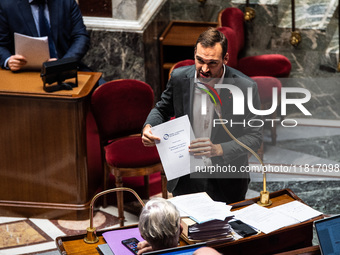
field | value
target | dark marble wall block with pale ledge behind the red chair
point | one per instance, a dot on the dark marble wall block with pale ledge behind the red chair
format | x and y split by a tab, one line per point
128	53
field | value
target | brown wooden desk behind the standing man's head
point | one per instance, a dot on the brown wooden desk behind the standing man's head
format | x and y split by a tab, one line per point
177	43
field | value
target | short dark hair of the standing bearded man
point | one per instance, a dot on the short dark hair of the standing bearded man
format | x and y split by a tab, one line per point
212	36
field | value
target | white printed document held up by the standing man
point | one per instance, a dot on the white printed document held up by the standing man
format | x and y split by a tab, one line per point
173	148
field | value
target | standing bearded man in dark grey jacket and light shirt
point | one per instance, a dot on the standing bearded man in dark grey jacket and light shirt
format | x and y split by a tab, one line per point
183	97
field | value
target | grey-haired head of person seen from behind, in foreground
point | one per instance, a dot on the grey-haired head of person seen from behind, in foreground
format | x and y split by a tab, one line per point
159	225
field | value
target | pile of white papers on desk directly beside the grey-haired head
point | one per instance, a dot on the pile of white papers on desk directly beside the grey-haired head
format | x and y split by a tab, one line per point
200	207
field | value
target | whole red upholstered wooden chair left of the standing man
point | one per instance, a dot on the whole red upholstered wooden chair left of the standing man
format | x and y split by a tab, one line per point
120	109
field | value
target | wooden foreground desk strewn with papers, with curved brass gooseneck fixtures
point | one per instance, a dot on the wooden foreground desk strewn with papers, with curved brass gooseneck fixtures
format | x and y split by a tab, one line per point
285	239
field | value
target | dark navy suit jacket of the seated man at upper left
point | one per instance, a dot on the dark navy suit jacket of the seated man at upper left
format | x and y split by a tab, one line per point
68	30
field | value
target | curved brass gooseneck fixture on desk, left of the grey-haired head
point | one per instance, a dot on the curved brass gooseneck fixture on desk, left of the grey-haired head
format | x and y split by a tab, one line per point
91	236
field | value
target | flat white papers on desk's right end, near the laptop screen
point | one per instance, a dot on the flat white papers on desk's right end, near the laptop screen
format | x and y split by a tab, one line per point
268	220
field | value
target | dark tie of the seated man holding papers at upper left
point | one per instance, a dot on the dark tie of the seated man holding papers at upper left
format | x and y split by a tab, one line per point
44	27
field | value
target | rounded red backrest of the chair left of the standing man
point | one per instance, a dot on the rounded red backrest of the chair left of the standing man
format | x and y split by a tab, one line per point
120	107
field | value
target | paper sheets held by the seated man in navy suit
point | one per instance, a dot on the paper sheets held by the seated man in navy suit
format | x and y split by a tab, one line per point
34	49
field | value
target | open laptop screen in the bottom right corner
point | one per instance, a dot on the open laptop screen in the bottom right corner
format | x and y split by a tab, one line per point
328	232
